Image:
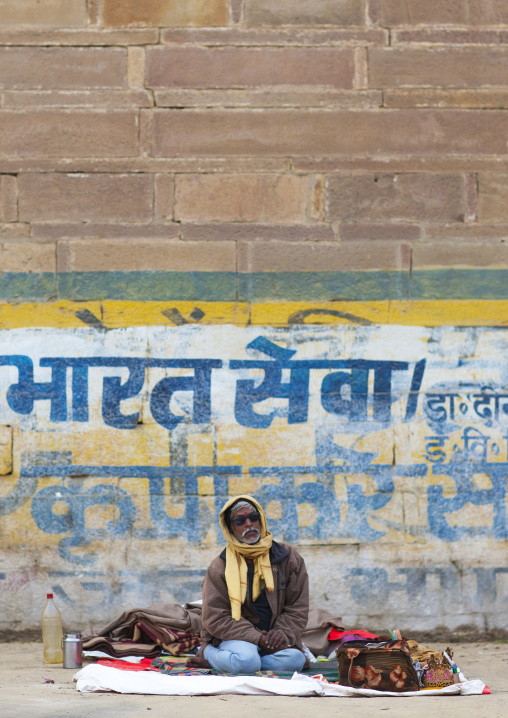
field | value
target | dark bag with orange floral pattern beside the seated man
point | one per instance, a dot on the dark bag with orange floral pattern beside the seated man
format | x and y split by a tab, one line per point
382	666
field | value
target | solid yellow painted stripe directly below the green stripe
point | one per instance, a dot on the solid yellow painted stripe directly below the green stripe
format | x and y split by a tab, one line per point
118	314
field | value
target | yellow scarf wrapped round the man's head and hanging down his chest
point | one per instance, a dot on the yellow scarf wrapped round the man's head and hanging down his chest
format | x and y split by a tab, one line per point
236	565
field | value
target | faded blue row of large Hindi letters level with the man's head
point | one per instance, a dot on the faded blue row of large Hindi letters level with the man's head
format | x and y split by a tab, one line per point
335	517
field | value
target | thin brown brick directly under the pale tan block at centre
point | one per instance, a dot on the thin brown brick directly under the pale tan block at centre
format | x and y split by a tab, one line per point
253	231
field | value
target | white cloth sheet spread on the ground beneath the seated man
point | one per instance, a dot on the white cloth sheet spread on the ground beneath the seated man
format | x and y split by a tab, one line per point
94	678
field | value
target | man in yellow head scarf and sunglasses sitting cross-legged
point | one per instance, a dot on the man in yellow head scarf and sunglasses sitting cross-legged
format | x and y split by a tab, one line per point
255	598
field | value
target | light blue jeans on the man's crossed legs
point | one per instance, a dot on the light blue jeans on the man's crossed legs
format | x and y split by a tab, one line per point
245	658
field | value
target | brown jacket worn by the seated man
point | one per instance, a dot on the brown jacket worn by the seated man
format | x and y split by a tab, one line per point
289	601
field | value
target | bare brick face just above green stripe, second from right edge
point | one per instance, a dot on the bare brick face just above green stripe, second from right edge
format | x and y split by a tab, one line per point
319	256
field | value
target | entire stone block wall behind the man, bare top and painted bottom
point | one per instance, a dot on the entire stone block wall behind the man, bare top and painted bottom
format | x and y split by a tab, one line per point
249	181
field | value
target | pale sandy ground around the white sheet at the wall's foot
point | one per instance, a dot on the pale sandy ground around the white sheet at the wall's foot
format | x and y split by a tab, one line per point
23	692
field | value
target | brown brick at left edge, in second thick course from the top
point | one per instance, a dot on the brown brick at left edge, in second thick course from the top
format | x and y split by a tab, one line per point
75	68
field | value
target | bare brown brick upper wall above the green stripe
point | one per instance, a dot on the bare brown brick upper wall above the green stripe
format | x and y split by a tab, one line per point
369	134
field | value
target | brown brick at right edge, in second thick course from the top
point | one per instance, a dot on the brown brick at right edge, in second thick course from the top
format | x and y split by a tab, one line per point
439	67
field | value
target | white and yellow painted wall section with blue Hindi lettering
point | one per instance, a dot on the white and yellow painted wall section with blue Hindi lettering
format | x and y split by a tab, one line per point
380	451
